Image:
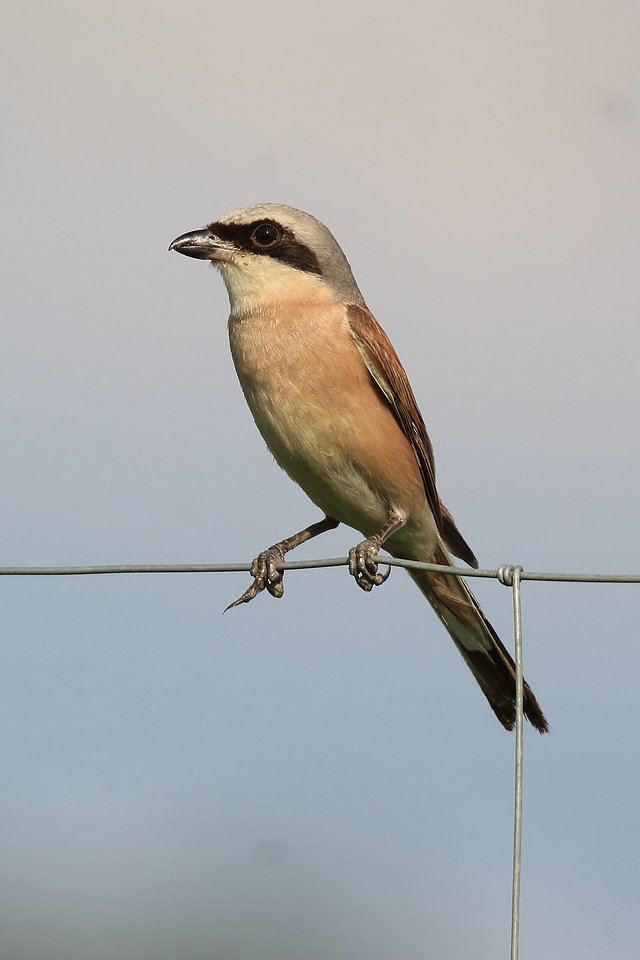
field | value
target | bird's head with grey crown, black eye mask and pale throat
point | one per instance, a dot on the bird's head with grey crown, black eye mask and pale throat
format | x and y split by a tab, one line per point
271	253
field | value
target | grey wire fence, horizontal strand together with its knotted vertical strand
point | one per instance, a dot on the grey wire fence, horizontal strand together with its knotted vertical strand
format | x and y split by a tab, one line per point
508	574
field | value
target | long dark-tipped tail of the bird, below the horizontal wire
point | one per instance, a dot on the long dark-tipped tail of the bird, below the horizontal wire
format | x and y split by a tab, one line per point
479	644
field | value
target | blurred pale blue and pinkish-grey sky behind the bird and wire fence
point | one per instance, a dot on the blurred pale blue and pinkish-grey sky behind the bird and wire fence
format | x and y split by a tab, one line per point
316	778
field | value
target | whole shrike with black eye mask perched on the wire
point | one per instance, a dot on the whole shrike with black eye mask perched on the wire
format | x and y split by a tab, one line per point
335	407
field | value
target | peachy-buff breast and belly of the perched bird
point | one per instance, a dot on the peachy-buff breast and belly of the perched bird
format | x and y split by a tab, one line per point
327	426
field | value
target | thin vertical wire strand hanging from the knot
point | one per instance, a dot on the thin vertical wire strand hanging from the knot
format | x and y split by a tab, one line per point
517	814
